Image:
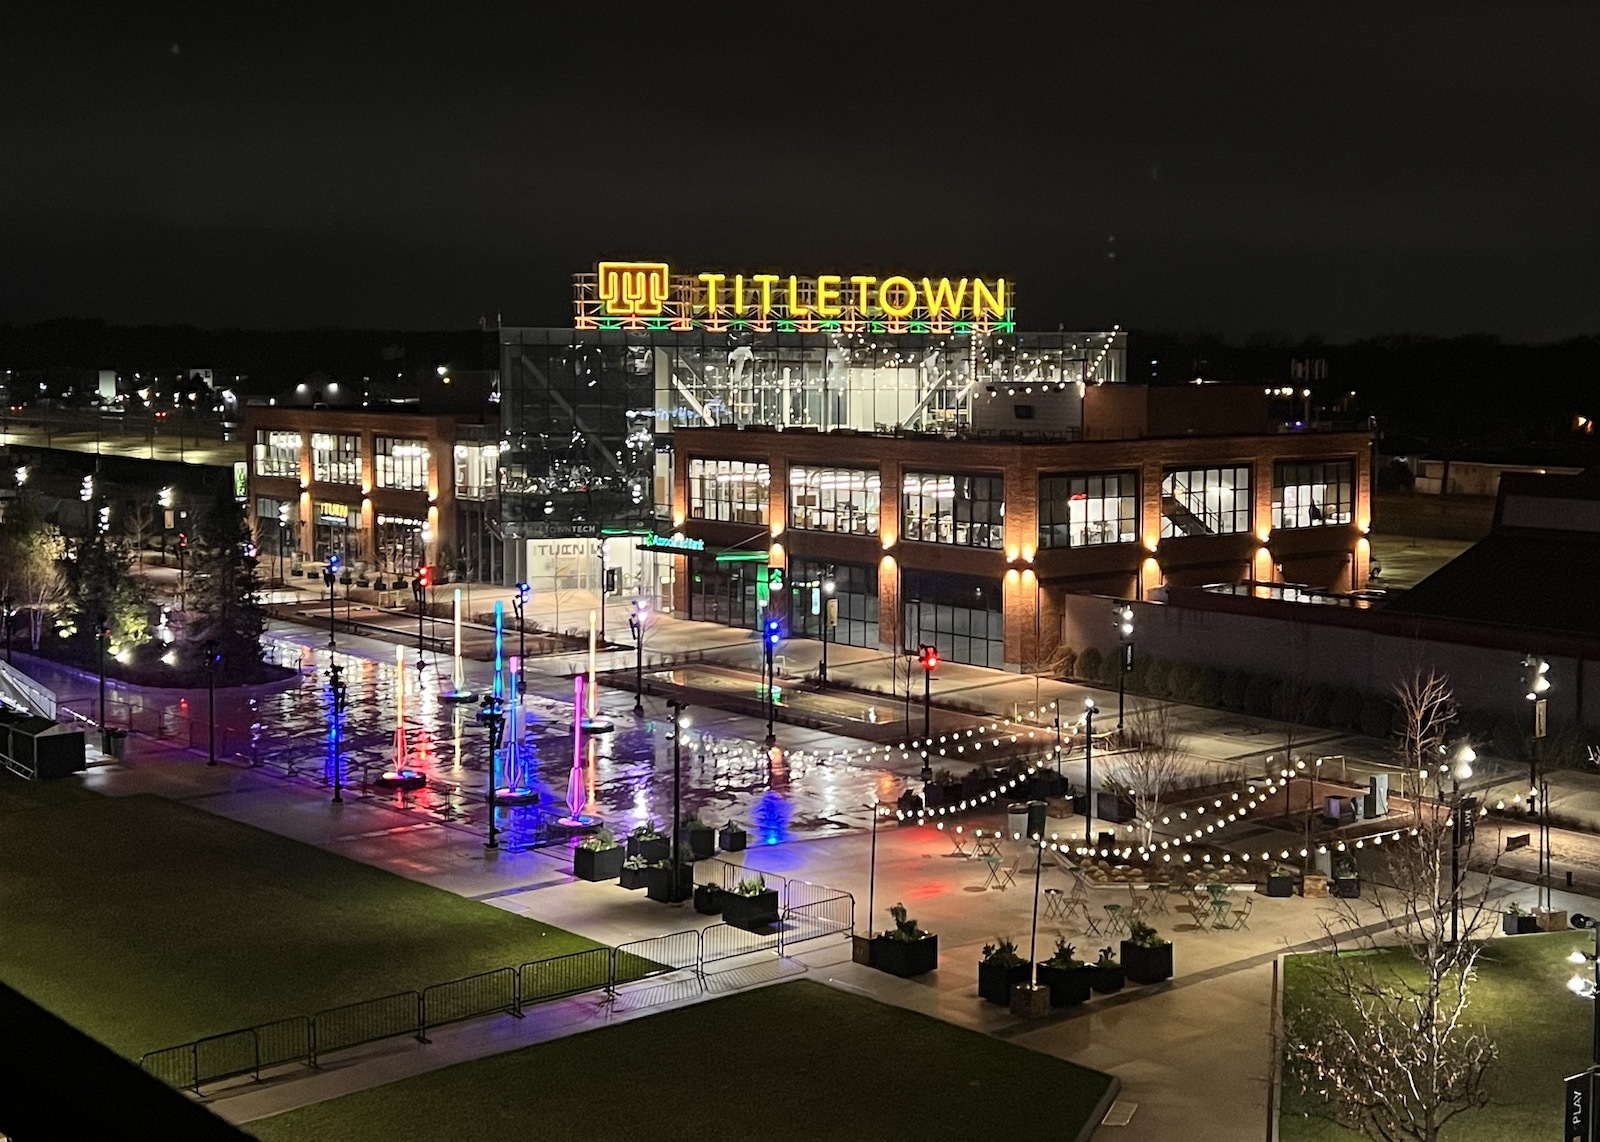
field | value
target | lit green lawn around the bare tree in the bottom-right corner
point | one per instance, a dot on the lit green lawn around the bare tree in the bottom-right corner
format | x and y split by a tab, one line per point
1542	1029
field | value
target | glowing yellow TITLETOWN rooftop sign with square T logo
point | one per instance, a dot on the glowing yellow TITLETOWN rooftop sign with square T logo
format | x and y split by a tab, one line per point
650	297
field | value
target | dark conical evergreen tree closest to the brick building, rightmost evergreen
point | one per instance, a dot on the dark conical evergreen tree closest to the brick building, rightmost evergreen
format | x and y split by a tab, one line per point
225	589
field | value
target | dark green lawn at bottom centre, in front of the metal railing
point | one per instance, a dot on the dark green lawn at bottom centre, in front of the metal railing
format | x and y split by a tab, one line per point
793	1061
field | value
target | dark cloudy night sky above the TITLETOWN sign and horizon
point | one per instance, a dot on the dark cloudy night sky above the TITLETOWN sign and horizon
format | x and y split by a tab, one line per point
1332	169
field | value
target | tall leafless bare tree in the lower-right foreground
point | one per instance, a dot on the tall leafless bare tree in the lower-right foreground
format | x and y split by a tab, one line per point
1382	1042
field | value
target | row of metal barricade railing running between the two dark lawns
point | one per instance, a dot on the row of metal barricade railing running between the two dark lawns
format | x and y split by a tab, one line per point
818	911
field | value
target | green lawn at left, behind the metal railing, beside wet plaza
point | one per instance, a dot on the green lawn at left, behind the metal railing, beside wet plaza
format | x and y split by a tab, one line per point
148	924
